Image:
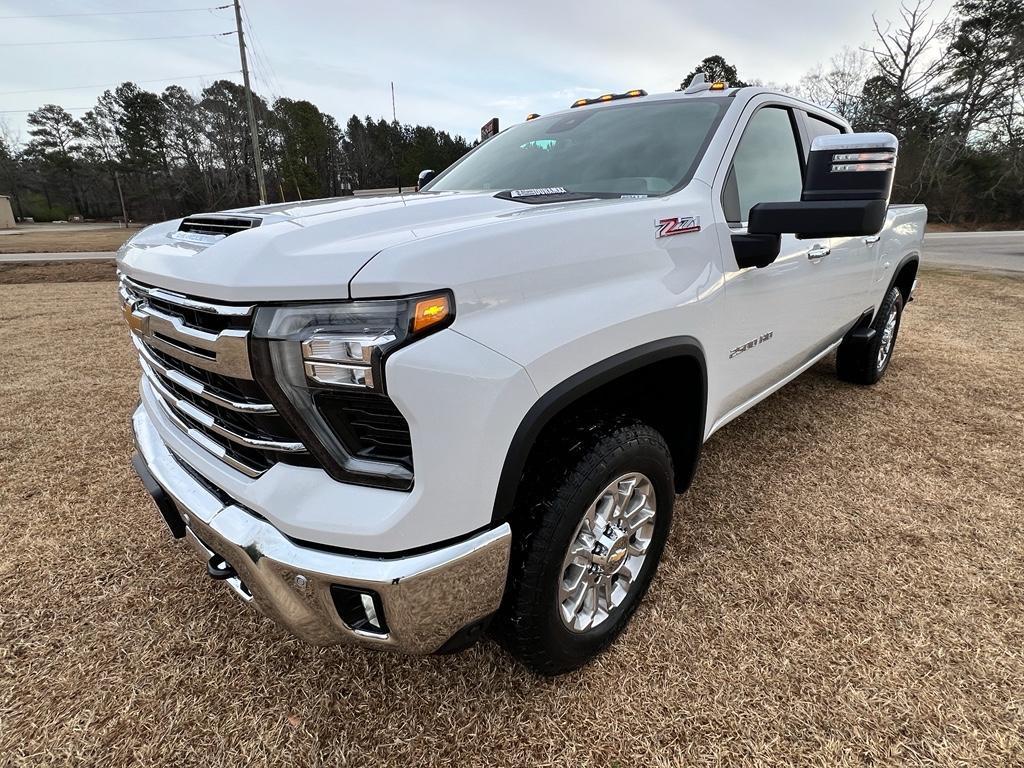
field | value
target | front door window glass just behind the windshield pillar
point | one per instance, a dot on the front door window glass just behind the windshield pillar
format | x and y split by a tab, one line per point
766	167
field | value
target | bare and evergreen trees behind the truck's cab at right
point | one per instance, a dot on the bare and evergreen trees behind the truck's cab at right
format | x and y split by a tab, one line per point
952	90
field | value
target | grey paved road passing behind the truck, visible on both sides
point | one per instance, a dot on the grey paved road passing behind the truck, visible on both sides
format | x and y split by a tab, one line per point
990	251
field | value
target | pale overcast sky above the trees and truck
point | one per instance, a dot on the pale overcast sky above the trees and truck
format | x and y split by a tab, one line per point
455	64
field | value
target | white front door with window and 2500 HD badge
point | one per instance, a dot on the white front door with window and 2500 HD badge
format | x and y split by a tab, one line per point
777	318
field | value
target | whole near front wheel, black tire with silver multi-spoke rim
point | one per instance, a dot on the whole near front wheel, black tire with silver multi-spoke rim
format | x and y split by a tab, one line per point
596	515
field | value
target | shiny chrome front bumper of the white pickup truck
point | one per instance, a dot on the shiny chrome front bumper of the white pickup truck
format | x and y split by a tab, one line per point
426	599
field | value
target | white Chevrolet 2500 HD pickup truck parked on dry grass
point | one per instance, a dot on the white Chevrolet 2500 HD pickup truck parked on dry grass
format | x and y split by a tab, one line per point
402	421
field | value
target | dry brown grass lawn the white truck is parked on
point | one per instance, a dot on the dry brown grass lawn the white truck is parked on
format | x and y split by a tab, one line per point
843	586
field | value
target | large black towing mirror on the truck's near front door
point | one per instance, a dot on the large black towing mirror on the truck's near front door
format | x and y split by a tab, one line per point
846	192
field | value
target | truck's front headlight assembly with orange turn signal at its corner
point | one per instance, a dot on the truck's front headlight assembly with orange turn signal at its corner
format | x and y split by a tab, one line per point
311	358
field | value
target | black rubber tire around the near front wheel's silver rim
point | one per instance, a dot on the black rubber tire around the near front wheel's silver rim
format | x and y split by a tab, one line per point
567	476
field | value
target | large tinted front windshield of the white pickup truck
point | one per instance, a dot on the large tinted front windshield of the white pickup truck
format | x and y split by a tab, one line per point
631	149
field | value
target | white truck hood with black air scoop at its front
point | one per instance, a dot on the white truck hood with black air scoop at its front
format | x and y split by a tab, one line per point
306	250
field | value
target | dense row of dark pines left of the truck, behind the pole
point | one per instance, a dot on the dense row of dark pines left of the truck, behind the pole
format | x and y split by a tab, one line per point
175	153
